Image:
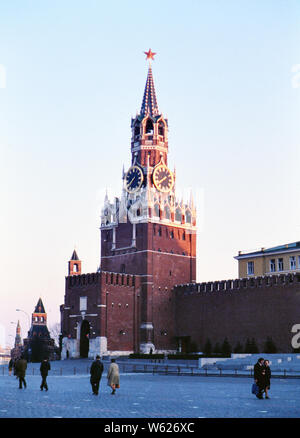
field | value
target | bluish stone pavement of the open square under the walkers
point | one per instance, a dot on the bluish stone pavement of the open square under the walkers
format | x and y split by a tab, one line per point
145	396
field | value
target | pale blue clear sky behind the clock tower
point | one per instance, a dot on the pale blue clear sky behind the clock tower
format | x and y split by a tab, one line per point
75	74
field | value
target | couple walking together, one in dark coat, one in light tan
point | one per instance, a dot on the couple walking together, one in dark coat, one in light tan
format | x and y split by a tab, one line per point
113	375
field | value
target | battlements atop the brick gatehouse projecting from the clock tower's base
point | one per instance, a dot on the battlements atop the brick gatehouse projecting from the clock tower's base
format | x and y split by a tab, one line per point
112	278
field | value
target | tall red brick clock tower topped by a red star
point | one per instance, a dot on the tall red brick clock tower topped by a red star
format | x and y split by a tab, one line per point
149	231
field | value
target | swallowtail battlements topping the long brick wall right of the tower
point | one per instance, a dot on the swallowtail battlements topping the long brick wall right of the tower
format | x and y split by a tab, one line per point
282	280
